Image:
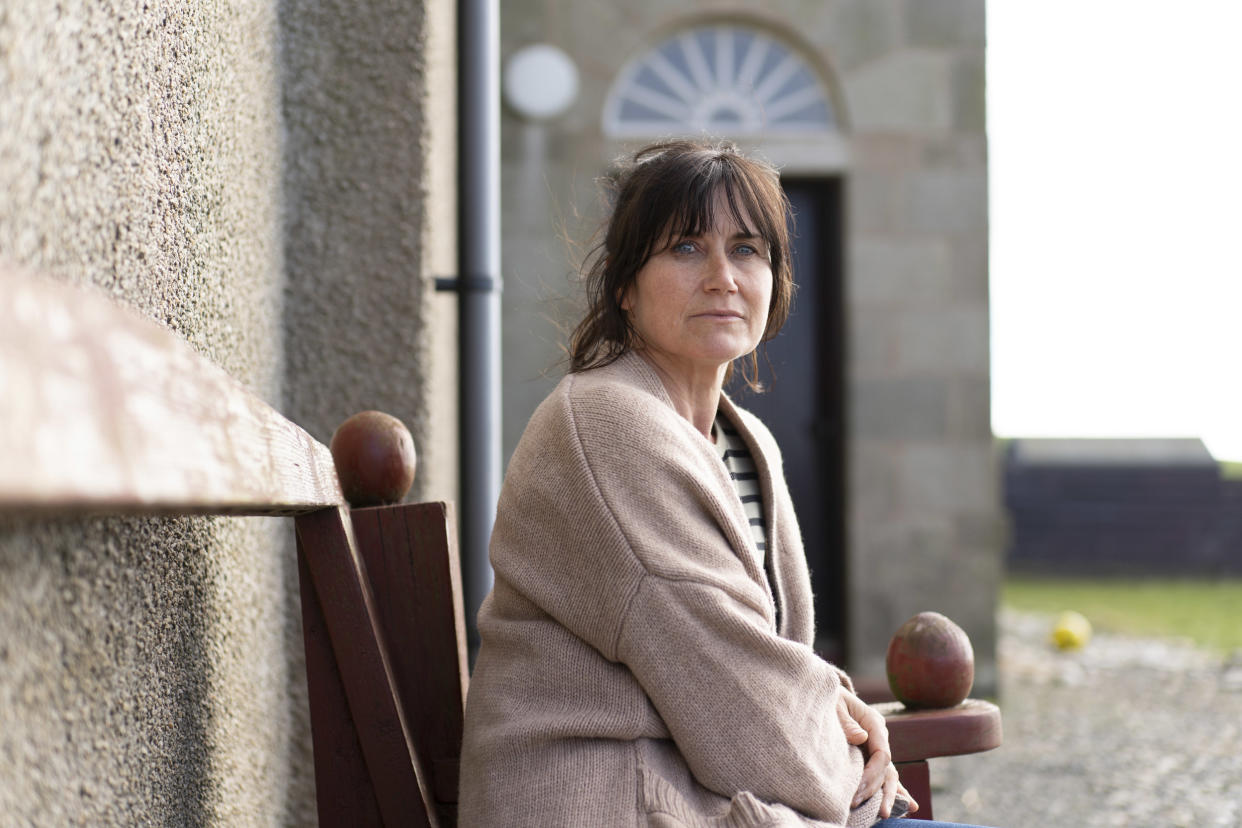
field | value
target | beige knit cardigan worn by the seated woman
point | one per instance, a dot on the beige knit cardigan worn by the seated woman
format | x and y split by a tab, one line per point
632	672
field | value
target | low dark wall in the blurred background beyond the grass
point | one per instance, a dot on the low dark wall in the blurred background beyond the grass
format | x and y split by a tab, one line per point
1121	507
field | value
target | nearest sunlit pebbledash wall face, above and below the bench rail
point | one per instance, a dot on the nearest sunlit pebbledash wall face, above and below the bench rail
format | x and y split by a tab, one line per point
147	675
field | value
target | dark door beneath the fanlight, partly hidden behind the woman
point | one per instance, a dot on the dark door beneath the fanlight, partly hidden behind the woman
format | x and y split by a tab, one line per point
804	403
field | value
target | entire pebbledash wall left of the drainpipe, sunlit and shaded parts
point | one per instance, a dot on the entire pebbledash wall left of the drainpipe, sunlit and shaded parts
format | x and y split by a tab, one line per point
268	181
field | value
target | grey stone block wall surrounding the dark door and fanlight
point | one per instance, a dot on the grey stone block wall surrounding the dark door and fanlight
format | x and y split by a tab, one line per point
907	81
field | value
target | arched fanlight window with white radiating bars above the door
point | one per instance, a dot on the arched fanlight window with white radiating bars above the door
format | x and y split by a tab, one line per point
722	80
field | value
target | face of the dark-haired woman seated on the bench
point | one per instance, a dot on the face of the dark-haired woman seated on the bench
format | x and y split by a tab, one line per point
702	301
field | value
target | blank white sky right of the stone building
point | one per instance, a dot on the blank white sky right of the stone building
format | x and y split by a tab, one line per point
1116	164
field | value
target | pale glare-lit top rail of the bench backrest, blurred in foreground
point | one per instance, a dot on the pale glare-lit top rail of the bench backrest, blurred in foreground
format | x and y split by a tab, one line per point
102	409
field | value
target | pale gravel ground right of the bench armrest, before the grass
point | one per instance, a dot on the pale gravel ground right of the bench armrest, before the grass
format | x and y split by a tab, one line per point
1126	732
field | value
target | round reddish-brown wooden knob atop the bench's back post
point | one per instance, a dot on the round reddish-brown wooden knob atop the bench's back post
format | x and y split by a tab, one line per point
374	457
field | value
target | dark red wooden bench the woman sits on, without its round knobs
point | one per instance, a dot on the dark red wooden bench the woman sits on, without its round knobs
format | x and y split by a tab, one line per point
109	413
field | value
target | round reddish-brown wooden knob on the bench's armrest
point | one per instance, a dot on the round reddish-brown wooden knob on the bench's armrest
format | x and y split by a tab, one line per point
931	662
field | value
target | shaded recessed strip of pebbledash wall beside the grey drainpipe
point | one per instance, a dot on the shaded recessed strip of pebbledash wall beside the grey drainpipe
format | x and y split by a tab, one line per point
358	318
